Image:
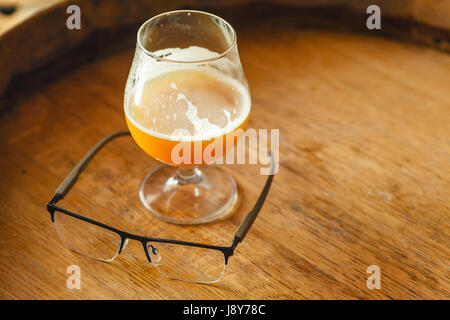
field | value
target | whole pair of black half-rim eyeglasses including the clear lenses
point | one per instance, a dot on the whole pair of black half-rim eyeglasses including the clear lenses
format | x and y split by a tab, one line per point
179	260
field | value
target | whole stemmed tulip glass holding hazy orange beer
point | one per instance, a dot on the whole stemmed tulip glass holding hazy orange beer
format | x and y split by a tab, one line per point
185	92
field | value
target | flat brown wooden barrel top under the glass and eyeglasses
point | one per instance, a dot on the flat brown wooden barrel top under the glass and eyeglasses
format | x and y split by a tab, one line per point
364	176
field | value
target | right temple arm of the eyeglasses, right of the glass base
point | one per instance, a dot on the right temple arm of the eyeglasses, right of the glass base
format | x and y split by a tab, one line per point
251	216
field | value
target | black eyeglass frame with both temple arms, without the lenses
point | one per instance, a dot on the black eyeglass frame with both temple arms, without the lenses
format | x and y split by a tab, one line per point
71	179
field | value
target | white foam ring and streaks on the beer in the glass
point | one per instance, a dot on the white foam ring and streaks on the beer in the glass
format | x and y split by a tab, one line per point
203	128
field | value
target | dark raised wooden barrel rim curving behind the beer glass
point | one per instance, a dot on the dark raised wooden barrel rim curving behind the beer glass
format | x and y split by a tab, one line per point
36	34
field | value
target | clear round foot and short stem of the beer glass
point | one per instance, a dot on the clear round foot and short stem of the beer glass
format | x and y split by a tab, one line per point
189	195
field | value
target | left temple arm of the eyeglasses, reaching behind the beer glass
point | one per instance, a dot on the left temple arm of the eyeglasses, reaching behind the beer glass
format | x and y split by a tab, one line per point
70	180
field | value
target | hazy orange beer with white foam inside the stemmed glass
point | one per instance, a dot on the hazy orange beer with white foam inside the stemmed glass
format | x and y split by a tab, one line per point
188	106
